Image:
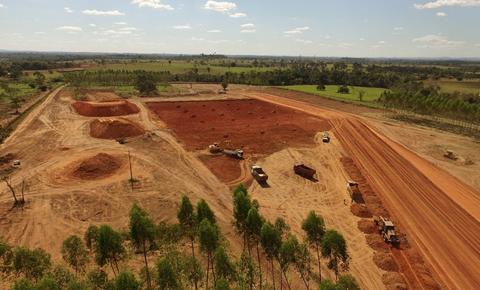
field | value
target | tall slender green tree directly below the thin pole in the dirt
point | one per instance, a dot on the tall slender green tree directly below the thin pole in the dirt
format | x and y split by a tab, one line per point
142	233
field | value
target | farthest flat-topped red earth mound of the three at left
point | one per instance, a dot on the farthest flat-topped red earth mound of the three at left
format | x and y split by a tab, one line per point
105	109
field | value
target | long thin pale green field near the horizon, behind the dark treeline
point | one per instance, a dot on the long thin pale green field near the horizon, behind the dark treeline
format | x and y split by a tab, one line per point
177	67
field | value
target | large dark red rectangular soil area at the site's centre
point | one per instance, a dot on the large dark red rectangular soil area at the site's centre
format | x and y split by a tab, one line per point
252	125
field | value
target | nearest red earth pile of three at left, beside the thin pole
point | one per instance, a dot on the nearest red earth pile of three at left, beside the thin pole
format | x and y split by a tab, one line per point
98	166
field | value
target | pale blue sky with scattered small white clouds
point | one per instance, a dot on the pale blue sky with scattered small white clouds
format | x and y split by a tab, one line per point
324	28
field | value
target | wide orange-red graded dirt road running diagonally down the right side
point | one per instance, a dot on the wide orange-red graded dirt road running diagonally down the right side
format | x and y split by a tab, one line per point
440	214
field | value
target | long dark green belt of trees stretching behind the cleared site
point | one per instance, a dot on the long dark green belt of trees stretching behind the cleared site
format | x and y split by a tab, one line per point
298	74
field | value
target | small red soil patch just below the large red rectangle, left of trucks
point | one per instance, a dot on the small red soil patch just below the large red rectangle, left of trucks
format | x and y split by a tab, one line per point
225	168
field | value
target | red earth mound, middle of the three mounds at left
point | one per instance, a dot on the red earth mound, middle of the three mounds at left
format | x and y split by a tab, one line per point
113	129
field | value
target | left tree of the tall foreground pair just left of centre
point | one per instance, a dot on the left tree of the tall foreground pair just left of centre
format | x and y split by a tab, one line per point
188	222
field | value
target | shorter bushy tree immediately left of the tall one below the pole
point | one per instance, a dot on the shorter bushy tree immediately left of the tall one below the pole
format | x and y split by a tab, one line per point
109	248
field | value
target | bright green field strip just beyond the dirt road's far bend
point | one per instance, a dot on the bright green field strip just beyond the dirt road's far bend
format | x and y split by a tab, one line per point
369	97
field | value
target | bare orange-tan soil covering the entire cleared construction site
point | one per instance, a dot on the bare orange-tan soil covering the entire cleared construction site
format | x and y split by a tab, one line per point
438	213
